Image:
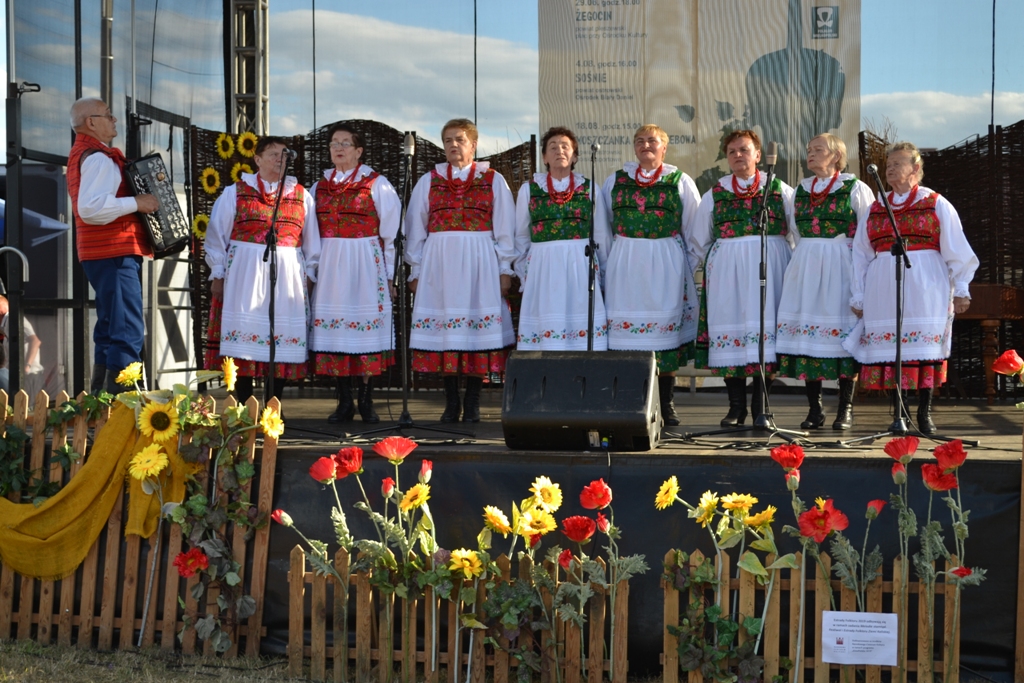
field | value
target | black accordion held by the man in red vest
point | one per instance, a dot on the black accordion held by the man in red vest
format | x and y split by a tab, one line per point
167	228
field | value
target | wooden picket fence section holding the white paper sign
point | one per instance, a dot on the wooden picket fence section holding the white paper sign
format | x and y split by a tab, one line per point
881	597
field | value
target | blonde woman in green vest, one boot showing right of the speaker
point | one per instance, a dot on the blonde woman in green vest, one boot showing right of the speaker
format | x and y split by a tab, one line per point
650	207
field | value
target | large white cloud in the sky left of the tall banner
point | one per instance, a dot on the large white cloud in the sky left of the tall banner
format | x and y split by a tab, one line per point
407	77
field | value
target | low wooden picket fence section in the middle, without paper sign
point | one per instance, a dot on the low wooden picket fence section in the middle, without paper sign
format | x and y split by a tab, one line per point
486	662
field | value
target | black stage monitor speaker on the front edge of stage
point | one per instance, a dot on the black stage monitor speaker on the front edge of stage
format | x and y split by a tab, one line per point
581	401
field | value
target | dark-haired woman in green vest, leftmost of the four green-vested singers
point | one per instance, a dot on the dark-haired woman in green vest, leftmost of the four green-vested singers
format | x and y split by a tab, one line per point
553	217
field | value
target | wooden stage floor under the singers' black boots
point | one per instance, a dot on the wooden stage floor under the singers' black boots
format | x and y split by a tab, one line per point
998	428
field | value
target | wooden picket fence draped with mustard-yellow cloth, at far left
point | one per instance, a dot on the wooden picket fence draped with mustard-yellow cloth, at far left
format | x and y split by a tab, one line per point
116	570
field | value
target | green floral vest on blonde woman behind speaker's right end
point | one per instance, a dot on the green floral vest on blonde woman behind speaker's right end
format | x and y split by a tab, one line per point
653	212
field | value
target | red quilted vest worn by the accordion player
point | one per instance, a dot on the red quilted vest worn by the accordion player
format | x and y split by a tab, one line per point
122	237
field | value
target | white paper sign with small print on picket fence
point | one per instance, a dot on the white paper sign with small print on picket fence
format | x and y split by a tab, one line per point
859	638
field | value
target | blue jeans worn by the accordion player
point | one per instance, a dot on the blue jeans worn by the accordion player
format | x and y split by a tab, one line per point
120	331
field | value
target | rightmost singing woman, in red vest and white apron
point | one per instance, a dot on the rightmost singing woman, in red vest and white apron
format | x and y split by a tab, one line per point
935	288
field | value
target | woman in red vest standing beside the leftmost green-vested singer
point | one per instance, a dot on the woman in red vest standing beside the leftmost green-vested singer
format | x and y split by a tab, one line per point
461	223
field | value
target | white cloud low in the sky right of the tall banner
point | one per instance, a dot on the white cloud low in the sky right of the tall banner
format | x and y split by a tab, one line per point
932	119
